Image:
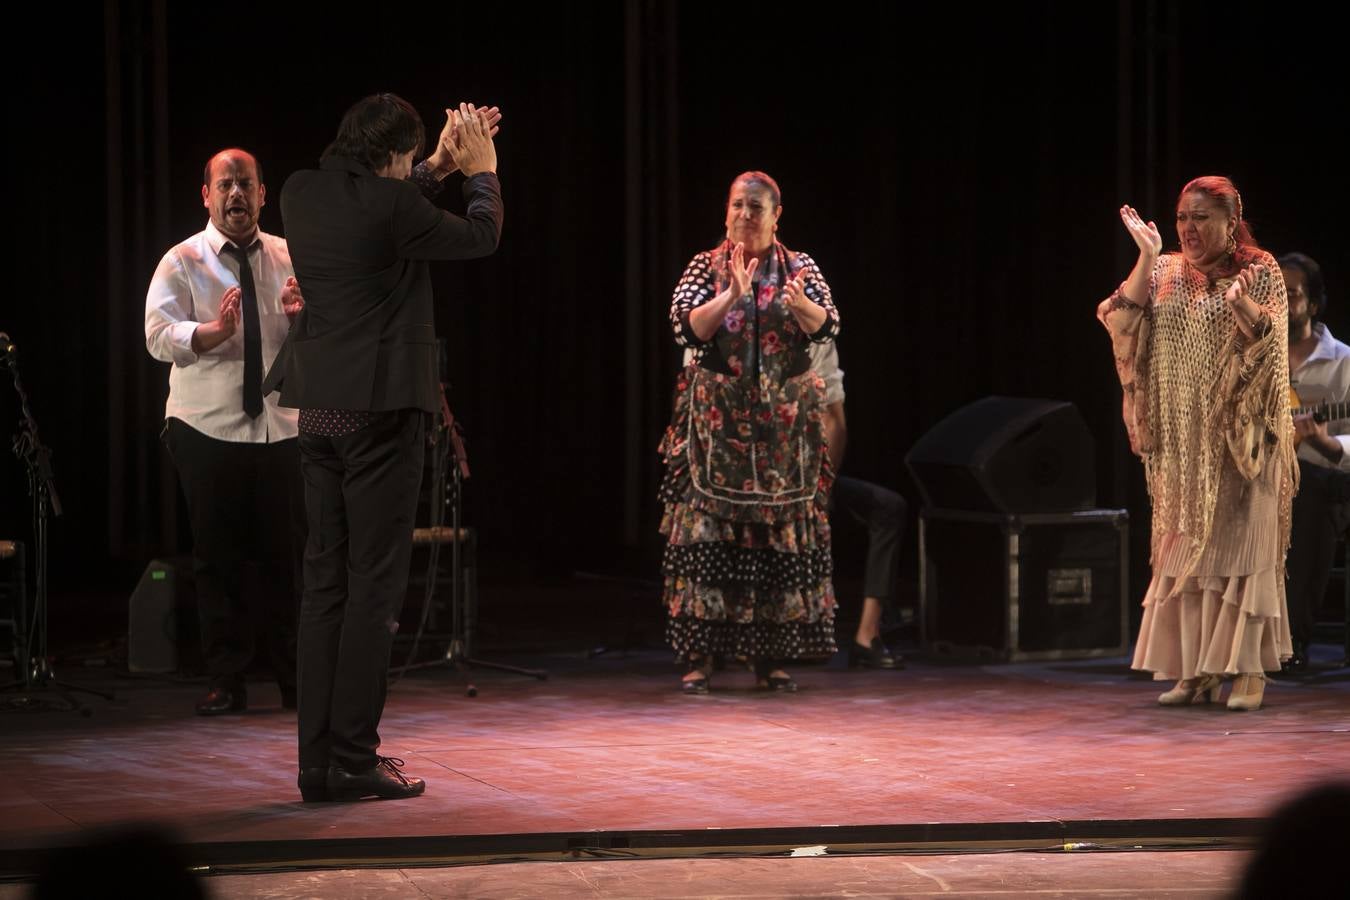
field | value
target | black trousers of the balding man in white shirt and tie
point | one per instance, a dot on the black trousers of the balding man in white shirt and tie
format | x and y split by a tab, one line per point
246	507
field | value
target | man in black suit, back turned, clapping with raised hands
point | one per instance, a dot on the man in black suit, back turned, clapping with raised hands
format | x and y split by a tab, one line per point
361	366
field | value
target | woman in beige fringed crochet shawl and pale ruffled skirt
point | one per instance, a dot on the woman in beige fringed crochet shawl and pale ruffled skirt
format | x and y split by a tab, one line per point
1201	345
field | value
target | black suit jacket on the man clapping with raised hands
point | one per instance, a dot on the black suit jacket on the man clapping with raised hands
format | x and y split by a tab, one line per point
361	246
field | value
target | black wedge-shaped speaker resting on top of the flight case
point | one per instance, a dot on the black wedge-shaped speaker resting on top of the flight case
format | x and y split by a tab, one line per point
1008	455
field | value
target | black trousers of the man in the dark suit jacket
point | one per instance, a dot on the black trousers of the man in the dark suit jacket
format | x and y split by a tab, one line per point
361	500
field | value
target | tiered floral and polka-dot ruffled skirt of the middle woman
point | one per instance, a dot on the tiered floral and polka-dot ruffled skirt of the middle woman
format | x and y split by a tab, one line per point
747	566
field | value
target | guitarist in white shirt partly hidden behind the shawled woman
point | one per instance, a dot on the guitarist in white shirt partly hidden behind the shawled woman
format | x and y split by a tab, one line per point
1320	377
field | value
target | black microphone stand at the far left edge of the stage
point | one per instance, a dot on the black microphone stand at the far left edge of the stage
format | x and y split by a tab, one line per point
43	488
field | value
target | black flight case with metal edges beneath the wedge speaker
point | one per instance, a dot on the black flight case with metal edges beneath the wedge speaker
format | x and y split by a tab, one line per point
1050	586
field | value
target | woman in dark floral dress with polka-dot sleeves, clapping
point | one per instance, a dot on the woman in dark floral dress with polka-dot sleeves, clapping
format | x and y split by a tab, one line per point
747	569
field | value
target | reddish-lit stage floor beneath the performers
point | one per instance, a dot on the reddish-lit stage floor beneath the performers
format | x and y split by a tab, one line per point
607	759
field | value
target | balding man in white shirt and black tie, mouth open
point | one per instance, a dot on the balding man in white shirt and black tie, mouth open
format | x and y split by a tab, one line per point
218	310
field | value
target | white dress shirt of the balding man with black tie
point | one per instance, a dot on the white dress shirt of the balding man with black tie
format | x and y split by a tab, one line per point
207	391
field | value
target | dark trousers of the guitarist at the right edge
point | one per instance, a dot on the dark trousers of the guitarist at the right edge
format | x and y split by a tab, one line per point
1321	515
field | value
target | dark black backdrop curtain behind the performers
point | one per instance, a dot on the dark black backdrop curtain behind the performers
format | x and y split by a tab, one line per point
955	172
